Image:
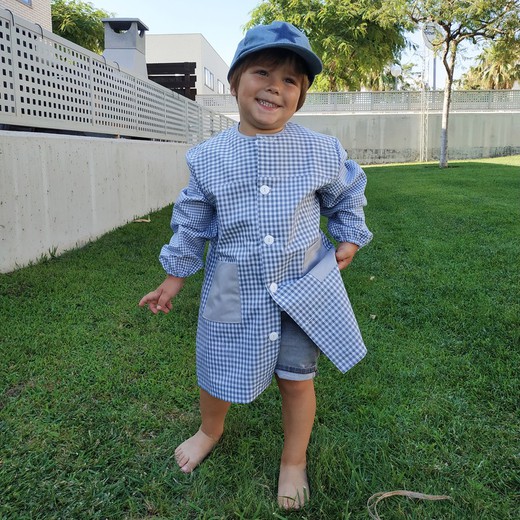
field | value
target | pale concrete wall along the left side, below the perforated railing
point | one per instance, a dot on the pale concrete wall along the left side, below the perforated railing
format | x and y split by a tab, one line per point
58	192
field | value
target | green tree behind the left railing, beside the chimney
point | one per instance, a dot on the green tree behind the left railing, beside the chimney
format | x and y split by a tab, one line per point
79	22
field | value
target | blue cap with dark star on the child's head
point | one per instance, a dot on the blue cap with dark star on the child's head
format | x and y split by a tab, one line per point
278	35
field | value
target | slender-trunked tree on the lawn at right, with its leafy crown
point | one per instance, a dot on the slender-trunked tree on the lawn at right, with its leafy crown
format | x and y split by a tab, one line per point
463	21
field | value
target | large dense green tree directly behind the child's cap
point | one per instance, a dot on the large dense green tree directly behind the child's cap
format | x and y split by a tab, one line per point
355	39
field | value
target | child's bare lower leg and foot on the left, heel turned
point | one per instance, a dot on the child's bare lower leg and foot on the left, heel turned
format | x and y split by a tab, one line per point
194	450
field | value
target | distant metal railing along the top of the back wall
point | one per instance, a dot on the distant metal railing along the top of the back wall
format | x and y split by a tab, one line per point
390	101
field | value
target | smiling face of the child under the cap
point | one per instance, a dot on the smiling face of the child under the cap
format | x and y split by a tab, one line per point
267	97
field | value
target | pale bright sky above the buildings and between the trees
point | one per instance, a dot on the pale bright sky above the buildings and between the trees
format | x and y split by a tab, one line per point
222	22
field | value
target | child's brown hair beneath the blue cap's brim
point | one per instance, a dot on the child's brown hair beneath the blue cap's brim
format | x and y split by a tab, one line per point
273	57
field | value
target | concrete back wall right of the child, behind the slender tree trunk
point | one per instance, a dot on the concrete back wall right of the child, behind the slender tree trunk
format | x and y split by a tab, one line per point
373	138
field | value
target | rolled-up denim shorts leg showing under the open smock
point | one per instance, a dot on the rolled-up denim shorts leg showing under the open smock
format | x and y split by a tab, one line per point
298	357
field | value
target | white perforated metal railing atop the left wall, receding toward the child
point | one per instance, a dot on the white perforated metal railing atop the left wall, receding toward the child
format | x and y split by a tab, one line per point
49	82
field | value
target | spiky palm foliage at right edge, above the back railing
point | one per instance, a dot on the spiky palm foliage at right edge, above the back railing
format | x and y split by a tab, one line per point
498	67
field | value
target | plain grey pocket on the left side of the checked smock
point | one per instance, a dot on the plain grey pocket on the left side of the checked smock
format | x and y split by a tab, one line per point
223	303
